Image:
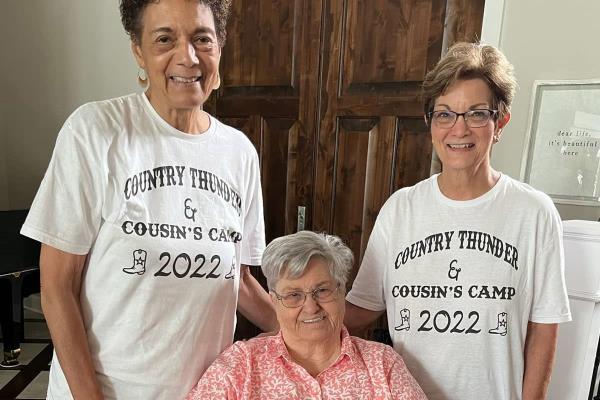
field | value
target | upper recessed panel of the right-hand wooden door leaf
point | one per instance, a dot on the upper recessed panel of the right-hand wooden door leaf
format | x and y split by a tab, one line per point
388	46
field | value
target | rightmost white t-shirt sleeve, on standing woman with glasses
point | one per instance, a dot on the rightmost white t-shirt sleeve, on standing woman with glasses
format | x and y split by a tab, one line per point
550	303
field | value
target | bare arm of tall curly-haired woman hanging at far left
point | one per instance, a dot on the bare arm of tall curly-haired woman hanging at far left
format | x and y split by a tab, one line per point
60	275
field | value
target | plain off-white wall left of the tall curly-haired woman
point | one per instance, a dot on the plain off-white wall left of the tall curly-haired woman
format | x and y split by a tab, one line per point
55	56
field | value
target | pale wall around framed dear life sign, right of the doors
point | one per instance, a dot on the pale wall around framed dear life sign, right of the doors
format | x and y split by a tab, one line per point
545	40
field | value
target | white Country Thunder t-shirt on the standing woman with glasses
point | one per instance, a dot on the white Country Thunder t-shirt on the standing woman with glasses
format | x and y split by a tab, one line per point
460	280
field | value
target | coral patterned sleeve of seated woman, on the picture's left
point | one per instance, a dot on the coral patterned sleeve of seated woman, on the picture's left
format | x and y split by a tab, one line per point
224	379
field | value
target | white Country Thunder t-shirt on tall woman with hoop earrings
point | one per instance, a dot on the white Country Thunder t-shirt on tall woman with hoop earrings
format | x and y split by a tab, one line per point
166	218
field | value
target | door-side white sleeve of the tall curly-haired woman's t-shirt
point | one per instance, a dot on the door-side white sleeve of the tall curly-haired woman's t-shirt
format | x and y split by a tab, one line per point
253	239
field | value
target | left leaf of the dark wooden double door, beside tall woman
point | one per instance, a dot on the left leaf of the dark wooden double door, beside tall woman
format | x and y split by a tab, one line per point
269	73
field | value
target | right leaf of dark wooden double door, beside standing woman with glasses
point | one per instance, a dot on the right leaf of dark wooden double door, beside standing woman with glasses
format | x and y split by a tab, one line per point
372	139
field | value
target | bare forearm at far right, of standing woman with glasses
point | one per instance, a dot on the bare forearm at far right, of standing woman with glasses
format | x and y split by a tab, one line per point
540	346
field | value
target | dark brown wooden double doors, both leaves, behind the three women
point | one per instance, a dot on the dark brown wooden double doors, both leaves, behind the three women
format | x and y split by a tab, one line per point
328	92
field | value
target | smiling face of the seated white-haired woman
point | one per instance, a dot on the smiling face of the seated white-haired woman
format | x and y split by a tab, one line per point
313	322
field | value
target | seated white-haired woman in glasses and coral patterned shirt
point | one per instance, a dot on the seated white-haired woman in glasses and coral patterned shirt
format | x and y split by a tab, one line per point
312	356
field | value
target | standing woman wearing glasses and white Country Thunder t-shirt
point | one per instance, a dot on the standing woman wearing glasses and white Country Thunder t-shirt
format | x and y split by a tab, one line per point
468	263
